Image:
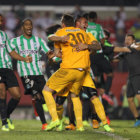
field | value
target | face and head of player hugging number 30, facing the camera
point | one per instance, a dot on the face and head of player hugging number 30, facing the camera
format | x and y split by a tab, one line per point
81	22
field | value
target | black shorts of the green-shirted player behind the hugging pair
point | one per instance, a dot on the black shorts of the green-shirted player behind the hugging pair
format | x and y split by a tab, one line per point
100	64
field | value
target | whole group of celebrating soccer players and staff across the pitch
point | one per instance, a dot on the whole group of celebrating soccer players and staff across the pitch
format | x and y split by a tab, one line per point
81	44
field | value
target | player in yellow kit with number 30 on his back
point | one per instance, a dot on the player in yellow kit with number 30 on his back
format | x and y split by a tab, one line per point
72	70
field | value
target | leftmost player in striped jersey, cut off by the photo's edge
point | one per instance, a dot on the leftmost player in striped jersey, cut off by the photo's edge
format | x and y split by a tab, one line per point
8	80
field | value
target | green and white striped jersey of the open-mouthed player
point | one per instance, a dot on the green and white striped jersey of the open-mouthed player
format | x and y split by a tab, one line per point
32	46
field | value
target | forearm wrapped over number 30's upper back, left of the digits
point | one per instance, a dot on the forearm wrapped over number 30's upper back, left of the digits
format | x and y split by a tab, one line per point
56	38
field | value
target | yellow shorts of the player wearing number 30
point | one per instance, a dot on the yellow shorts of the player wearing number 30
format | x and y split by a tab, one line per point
64	77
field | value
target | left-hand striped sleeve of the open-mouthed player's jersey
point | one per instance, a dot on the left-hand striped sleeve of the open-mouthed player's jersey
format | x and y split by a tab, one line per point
11	45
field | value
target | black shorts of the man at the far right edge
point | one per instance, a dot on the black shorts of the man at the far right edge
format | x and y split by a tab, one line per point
133	86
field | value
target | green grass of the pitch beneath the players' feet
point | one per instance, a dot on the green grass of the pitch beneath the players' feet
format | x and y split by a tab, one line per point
30	130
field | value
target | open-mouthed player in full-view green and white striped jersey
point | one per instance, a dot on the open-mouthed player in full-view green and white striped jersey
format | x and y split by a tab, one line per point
30	73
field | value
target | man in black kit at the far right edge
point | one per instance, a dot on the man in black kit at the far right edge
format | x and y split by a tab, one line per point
133	62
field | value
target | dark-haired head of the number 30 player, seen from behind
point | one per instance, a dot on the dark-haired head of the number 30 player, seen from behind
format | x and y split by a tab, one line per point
67	20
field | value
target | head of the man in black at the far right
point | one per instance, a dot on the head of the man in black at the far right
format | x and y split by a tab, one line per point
129	39
